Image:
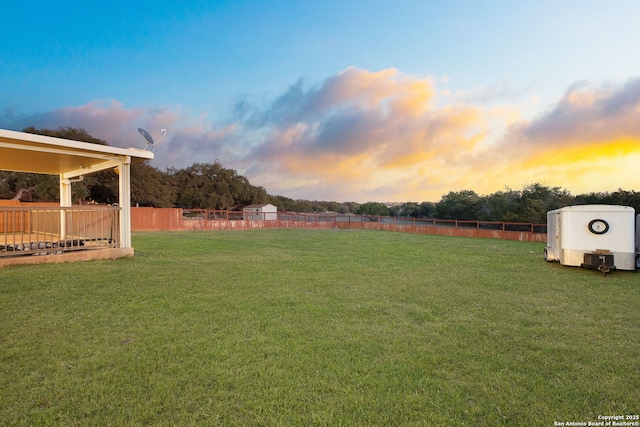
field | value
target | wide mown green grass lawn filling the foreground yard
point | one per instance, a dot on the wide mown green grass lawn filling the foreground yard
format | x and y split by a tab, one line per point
317	328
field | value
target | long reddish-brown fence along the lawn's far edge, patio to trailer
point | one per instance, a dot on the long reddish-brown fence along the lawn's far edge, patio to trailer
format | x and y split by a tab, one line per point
176	219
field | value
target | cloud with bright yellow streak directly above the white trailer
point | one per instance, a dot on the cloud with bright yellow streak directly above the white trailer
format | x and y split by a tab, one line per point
588	141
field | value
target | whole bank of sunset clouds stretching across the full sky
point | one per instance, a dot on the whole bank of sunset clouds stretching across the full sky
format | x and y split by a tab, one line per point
387	136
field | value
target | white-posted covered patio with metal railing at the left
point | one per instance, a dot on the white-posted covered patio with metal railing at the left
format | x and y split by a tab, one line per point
37	233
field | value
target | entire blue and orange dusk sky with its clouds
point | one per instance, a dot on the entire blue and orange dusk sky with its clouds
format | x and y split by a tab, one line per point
347	100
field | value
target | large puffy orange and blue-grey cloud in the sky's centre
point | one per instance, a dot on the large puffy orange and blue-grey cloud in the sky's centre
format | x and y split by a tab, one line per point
362	130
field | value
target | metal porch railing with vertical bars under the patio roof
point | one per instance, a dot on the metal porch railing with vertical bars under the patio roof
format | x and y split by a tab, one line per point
48	230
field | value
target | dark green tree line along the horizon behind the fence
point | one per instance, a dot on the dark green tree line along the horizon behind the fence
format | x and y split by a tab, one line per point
212	186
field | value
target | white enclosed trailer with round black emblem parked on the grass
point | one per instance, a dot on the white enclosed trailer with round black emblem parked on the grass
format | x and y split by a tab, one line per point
596	236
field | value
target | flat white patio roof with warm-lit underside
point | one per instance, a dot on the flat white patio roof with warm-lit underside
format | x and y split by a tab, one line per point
24	152
